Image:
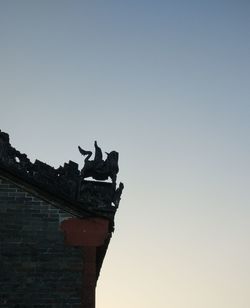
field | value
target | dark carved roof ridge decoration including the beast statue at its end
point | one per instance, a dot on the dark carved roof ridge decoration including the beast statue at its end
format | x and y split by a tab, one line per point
68	182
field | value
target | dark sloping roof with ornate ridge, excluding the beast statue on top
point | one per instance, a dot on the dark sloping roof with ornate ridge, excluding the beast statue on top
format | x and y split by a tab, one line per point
65	187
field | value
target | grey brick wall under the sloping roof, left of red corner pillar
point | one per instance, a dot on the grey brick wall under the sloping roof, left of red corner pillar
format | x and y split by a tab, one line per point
36	268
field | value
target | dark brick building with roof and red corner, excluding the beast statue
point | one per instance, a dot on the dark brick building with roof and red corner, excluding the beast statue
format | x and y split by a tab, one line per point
55	228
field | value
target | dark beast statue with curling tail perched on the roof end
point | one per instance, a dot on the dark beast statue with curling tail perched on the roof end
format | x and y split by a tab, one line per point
98	168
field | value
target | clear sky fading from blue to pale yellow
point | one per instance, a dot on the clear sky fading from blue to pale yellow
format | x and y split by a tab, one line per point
166	84
